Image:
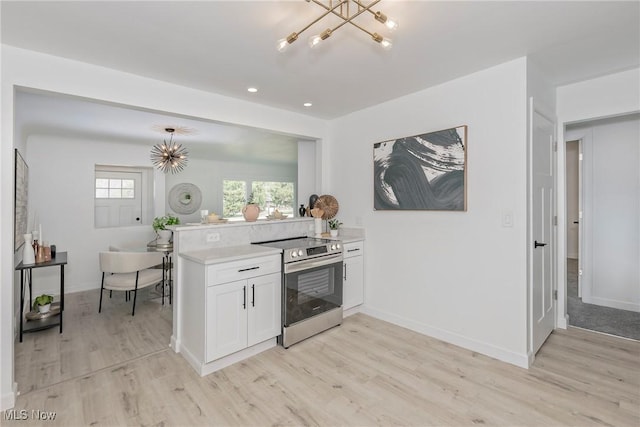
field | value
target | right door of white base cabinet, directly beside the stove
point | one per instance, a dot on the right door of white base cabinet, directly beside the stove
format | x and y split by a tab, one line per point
264	305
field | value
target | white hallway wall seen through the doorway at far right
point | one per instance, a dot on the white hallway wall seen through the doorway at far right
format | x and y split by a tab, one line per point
611	220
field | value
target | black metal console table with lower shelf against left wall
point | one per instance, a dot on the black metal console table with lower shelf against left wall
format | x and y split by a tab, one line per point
26	274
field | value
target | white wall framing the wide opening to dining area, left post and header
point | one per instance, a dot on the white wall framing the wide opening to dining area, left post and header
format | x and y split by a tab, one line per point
30	69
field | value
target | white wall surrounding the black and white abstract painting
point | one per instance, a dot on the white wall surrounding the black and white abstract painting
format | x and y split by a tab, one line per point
458	276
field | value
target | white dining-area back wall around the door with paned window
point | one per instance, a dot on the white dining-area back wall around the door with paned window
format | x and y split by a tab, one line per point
61	193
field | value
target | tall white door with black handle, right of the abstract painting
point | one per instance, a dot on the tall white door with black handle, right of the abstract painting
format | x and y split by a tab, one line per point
542	289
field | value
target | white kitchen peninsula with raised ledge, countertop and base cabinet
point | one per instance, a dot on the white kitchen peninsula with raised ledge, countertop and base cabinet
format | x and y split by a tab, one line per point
227	303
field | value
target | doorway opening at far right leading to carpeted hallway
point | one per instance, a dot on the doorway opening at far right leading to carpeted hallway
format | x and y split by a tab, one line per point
602	201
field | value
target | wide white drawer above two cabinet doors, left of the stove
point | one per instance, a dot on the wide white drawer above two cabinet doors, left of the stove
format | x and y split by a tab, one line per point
242	269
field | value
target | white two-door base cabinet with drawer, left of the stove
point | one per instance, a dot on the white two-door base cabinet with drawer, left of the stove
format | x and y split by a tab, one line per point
229	307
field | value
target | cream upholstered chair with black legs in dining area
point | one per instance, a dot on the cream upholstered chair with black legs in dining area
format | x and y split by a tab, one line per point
129	271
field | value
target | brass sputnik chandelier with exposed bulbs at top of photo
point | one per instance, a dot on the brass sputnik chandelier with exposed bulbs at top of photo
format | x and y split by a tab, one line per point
347	10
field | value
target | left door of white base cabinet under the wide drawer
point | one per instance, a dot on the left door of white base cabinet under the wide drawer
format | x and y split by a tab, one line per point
226	319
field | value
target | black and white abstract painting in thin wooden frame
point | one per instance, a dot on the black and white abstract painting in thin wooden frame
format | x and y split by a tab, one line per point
421	172
